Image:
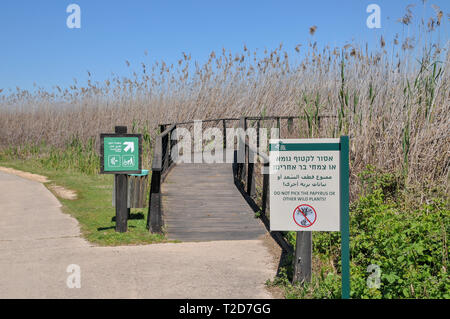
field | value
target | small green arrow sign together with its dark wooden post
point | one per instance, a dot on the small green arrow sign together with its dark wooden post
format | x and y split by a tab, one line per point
121	154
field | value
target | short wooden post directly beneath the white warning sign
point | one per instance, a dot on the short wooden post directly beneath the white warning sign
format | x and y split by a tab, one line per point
303	257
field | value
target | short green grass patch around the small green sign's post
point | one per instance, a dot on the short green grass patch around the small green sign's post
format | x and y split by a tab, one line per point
93	209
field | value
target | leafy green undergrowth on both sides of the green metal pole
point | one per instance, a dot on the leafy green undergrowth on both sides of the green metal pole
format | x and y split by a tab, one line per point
409	245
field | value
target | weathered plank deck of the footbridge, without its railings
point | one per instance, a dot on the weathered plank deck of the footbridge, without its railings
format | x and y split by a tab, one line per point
200	202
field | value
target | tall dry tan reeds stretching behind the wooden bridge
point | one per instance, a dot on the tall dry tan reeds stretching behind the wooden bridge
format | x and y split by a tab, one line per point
392	101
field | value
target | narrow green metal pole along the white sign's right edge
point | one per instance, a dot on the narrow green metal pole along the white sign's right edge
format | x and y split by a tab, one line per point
345	227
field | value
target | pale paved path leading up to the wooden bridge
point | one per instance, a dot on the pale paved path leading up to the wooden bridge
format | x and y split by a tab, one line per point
38	242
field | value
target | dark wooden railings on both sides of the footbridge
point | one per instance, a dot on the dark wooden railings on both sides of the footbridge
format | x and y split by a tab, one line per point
248	178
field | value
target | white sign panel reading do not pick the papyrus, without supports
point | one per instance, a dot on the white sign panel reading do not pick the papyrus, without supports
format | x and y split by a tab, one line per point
304	185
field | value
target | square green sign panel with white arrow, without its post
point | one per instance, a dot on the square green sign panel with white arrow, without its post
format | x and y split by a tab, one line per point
120	153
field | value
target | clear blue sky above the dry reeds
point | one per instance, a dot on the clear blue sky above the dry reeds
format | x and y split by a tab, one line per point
37	47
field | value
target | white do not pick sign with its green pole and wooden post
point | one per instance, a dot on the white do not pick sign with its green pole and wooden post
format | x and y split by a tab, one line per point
309	191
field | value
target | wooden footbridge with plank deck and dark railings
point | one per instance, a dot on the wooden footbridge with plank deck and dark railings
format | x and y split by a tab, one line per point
218	201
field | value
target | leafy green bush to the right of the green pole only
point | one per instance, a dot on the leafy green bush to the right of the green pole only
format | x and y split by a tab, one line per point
409	247
